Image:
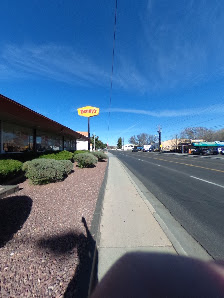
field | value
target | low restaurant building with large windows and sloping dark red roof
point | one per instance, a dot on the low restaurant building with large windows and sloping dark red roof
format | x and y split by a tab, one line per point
22	130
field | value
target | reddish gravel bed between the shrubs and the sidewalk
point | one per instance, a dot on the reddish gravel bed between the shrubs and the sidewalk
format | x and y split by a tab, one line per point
41	258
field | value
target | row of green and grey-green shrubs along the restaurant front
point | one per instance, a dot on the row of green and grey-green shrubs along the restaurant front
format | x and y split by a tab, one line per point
50	167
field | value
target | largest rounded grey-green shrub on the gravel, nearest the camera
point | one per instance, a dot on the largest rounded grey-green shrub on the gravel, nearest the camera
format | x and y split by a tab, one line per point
43	171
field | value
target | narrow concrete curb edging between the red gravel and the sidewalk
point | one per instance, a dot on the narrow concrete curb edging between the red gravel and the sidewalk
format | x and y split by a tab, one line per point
94	229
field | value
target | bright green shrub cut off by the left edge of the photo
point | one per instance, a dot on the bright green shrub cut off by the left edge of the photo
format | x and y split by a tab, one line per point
9	168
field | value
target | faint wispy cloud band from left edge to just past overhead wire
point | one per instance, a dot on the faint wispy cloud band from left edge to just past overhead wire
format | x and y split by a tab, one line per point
64	64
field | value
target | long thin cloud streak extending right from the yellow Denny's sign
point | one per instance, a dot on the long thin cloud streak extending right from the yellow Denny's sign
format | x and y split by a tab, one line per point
214	109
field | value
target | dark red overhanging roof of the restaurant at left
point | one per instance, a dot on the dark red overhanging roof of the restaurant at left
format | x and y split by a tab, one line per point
13	112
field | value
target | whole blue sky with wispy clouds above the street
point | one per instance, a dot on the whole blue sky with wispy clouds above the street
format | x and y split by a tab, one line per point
55	56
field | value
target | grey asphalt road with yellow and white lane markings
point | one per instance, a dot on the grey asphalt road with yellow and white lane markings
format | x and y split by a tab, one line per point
191	188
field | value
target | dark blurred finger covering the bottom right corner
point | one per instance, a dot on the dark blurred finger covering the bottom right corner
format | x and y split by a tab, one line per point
142	275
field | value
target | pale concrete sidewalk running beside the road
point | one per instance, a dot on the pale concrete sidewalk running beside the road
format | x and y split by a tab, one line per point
127	221
